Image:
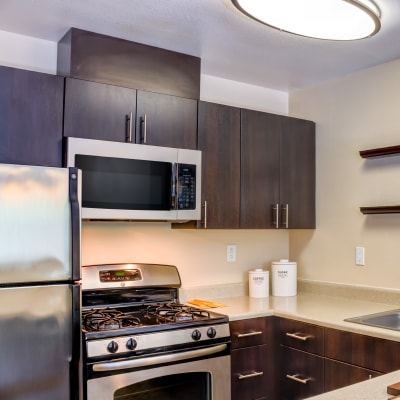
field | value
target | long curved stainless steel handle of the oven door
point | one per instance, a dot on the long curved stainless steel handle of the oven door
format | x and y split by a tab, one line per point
144	362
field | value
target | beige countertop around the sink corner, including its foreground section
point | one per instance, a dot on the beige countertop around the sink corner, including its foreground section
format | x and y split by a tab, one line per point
328	311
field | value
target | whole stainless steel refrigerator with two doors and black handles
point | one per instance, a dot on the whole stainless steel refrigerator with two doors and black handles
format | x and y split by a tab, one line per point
40	328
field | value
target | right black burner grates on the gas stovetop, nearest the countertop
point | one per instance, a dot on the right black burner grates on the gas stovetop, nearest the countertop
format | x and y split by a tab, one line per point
175	312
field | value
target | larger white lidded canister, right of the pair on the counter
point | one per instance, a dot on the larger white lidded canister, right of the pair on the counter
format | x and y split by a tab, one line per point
284	278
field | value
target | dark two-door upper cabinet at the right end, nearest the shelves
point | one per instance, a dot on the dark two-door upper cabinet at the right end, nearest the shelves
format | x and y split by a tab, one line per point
277	171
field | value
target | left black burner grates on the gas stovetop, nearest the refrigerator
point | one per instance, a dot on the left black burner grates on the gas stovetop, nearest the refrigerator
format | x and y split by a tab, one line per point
107	319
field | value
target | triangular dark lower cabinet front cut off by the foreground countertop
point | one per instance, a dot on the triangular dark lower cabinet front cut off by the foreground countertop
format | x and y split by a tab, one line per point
339	374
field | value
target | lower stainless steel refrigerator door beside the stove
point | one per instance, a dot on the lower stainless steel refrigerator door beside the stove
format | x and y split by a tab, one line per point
38	360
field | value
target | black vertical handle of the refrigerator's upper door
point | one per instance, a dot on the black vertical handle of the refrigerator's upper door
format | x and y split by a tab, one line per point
74	187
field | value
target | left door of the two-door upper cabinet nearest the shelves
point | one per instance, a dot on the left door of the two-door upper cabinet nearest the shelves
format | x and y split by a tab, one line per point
260	138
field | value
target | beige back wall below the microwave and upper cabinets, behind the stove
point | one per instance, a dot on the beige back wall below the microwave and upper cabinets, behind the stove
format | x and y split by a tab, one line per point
199	255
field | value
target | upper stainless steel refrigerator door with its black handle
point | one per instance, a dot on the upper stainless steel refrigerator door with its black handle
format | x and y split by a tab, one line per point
39	224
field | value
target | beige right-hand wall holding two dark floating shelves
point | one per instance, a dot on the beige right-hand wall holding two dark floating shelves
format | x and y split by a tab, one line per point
357	112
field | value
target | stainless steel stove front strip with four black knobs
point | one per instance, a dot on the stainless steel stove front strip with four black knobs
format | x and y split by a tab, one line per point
154	340
